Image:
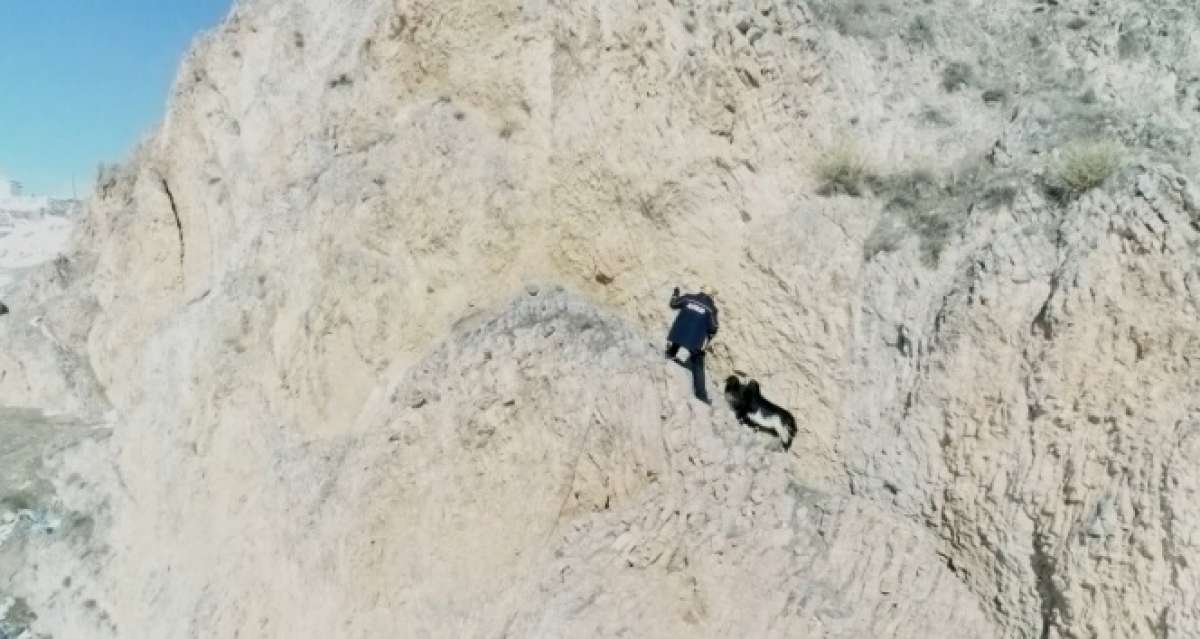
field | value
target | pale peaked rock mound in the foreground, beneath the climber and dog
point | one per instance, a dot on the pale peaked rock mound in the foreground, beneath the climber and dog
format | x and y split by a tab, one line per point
541	473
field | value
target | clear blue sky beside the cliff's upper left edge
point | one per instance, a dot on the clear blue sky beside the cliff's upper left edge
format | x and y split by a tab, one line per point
82	81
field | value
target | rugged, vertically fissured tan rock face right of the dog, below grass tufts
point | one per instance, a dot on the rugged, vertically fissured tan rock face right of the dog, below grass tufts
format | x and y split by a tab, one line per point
1042	392
